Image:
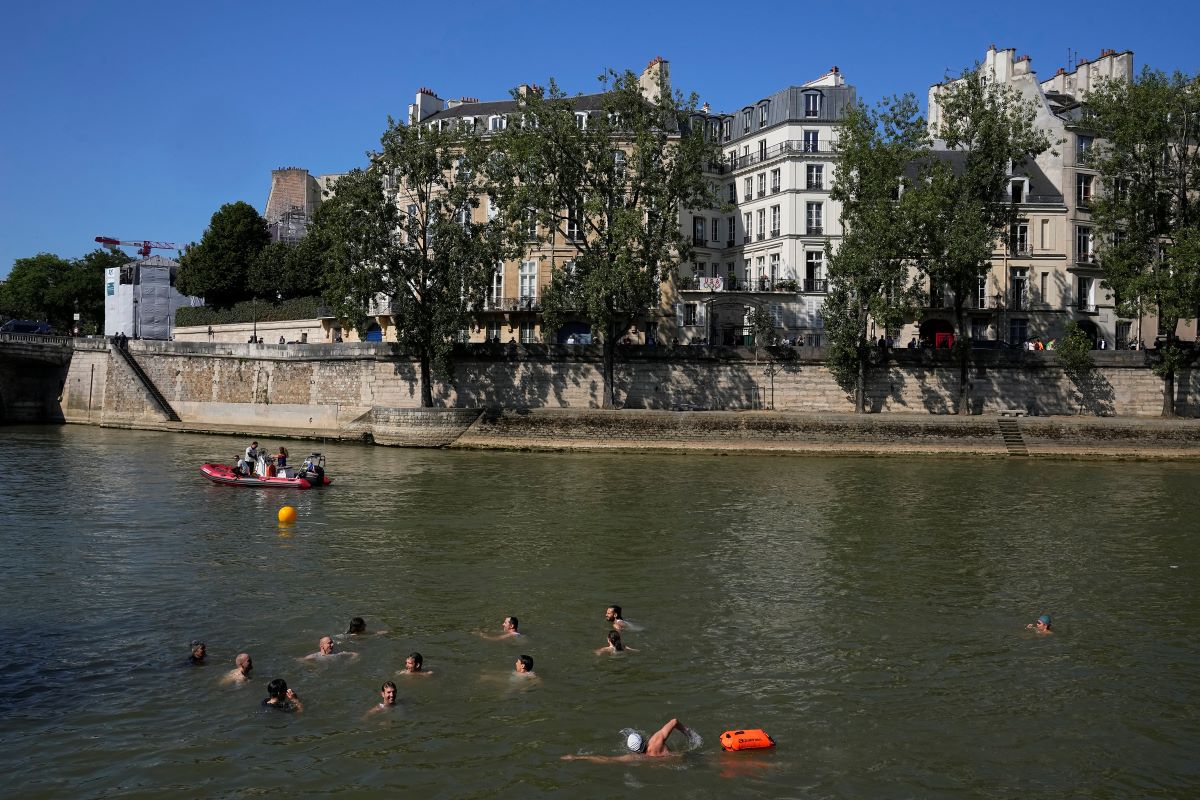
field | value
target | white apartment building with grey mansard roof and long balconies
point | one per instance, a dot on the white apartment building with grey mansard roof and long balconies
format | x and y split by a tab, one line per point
765	246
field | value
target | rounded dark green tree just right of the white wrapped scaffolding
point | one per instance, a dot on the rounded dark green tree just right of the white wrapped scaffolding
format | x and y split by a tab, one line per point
218	268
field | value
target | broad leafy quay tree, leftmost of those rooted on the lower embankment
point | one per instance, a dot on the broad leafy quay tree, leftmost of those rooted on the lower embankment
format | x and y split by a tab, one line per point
418	248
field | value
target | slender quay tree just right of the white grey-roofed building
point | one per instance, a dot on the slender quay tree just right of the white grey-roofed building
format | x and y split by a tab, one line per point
871	276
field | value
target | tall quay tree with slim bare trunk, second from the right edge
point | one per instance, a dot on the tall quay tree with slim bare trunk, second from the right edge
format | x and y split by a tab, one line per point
962	208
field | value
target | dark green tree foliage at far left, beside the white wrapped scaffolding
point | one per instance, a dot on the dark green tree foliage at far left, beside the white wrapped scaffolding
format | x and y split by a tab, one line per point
52	290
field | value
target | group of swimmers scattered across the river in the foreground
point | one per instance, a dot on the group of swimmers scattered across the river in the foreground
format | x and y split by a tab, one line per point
283	699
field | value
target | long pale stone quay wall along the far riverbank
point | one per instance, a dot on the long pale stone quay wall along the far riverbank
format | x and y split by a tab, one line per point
373	393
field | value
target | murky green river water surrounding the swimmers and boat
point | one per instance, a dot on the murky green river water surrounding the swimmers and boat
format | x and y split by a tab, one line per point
868	613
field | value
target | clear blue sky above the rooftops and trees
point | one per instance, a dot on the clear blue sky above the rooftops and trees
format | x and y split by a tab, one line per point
137	121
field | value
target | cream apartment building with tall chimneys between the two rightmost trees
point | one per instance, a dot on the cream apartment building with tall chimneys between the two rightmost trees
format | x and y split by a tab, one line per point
1046	273
